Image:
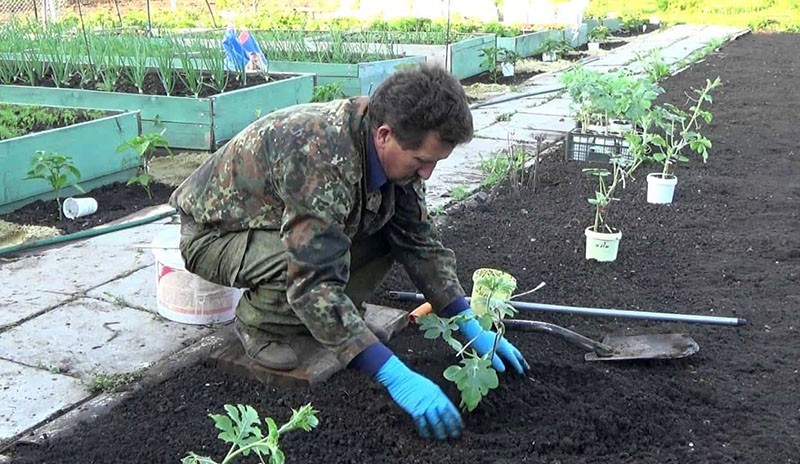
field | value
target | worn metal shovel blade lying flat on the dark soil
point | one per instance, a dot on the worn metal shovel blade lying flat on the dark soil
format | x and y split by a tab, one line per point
658	346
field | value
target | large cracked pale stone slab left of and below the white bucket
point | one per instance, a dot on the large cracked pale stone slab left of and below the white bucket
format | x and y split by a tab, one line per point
88	337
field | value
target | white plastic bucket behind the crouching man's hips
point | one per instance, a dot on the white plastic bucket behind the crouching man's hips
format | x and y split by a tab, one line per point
185	297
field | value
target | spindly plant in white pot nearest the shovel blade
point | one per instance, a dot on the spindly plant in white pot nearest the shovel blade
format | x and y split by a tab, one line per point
602	240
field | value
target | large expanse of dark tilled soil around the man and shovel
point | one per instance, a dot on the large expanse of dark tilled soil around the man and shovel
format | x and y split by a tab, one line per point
728	246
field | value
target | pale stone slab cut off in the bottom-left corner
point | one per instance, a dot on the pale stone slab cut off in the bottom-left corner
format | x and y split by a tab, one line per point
30	395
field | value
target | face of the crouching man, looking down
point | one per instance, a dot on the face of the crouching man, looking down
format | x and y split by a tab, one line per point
403	166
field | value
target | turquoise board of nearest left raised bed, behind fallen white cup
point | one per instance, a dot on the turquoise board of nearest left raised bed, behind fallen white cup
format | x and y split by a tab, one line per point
92	146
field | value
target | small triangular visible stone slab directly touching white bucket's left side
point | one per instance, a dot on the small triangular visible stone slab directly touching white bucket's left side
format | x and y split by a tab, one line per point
137	290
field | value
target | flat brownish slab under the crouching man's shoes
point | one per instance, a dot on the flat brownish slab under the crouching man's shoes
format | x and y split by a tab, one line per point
317	364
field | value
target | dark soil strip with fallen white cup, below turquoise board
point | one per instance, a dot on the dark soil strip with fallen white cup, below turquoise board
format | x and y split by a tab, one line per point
114	201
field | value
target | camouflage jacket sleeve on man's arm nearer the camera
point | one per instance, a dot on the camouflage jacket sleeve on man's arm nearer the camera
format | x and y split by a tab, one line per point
318	189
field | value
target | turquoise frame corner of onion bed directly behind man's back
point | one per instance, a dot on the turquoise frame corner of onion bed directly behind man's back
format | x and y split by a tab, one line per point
189	122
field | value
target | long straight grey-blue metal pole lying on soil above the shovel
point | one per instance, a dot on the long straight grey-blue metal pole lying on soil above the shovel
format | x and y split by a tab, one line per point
652	316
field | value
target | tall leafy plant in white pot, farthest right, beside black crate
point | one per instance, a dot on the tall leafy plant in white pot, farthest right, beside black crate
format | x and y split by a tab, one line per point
676	130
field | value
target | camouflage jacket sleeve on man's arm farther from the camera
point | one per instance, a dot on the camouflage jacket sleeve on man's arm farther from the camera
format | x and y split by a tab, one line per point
416	245
